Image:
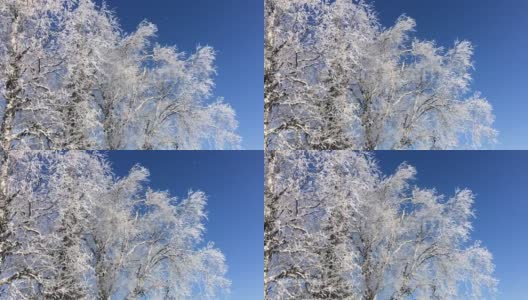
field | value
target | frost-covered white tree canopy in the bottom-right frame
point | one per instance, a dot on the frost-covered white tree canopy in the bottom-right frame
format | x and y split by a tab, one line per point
337	228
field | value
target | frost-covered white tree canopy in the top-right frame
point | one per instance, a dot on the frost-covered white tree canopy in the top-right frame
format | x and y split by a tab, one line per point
334	78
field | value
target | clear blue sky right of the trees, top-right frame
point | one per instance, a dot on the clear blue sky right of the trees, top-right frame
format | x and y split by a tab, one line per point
499	31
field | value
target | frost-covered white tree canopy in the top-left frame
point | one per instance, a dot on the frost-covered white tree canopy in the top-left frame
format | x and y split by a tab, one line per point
72	79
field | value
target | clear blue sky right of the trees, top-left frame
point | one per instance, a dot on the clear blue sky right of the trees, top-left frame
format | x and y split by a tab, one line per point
234	28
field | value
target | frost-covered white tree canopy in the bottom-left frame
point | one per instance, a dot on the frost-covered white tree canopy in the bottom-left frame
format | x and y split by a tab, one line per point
70	229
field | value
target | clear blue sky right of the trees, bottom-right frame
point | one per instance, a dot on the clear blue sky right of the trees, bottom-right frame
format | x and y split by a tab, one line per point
500	182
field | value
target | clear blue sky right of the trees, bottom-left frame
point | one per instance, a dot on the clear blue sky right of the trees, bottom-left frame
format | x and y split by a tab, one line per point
234	182
